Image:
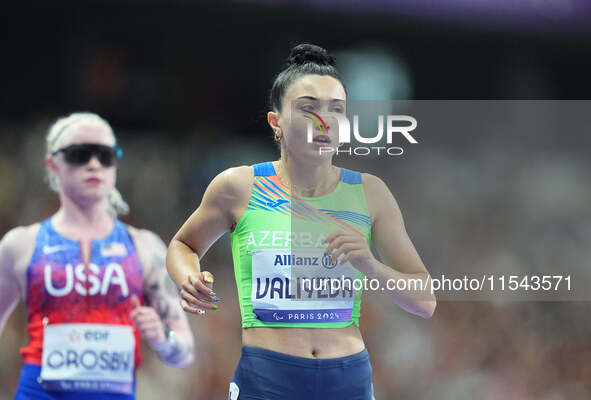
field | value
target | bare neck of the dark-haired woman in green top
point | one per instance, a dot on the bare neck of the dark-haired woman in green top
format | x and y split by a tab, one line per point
308	180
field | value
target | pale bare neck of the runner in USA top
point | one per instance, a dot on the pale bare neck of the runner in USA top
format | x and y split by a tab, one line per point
83	221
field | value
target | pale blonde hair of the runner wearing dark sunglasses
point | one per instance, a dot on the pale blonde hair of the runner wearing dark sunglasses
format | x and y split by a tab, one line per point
116	204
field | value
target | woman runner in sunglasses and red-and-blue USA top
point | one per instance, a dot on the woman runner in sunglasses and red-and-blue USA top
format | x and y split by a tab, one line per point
84	276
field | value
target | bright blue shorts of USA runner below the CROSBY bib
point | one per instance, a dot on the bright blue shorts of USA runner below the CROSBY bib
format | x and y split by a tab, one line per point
30	389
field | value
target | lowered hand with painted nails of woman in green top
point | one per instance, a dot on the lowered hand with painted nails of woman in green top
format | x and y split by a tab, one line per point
197	294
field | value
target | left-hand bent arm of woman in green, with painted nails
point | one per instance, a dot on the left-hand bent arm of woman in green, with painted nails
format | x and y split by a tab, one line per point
224	201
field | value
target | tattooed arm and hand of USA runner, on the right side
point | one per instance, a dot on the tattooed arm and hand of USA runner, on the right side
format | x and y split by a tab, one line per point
162	322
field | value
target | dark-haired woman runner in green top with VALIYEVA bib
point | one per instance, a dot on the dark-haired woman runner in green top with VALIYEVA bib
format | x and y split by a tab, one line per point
283	216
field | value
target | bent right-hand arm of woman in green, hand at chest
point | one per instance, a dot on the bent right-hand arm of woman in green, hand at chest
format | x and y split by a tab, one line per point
402	262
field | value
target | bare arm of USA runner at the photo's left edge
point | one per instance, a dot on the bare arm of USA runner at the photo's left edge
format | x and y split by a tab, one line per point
9	294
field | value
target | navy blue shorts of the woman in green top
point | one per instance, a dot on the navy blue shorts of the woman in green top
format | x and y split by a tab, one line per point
268	375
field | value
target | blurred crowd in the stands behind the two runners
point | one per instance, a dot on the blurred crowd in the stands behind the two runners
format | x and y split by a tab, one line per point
466	208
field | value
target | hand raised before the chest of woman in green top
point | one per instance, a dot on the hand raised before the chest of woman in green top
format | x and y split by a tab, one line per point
352	247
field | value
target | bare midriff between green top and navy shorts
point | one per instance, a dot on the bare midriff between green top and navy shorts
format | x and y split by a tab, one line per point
306	342
